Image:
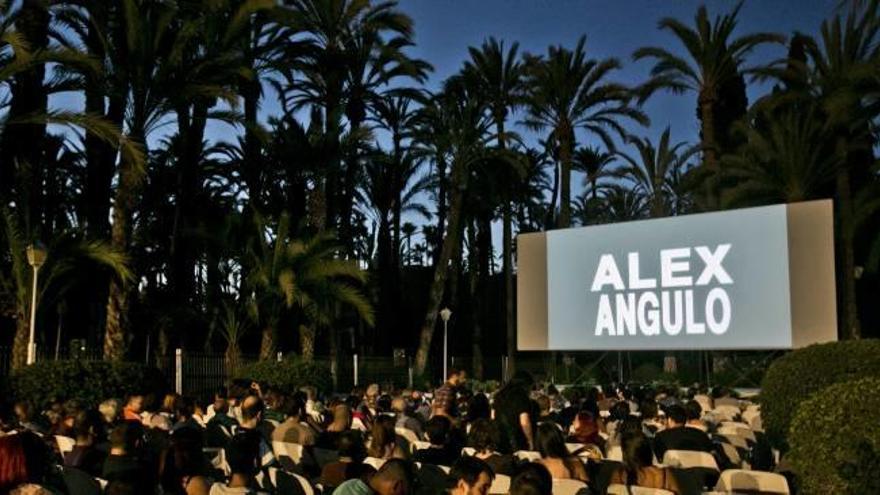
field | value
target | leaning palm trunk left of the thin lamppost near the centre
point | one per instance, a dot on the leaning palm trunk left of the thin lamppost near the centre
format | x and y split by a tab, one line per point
451	243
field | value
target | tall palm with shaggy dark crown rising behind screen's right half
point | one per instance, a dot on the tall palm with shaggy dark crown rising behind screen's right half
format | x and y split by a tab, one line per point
713	70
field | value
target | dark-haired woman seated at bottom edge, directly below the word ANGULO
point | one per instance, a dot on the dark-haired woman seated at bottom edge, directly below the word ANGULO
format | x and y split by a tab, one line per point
638	466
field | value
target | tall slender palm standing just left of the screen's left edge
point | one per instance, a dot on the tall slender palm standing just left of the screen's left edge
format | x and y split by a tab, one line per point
498	76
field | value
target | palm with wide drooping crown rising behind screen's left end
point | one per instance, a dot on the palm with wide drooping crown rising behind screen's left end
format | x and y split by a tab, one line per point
568	91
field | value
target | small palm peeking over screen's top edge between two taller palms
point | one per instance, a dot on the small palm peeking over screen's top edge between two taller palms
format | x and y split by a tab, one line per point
652	172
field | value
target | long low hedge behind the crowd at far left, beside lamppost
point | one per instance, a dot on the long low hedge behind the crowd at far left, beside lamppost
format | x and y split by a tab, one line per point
89	382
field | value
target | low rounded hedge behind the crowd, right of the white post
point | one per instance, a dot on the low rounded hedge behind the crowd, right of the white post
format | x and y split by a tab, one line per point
288	375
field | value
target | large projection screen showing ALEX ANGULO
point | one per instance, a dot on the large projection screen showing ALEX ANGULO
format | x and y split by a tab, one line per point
757	278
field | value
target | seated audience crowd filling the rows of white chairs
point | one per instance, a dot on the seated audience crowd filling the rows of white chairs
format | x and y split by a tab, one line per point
387	442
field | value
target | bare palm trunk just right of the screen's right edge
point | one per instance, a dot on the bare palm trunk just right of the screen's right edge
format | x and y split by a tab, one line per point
850	315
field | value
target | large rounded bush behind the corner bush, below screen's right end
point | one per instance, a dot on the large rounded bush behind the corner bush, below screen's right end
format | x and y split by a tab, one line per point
792	378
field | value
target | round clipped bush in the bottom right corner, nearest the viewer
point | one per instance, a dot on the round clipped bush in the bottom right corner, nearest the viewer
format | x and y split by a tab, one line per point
834	436
